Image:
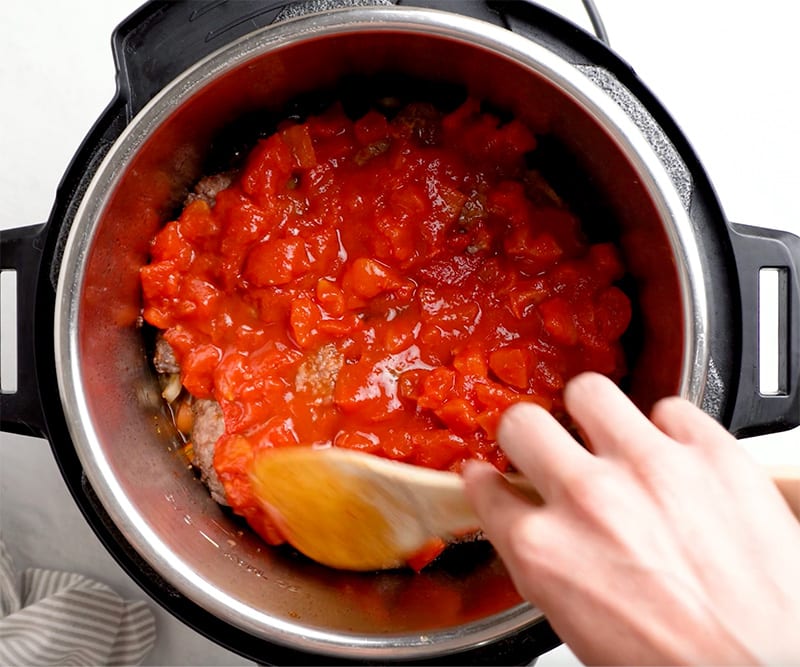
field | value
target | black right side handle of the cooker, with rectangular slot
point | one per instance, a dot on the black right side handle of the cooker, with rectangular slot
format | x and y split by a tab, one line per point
754	412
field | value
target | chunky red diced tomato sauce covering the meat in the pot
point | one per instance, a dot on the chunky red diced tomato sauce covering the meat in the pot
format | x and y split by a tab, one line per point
384	285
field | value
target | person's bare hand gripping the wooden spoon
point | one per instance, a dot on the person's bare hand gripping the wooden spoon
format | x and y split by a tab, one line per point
661	542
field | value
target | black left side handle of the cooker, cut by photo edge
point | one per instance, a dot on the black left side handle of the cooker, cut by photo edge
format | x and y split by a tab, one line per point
21	252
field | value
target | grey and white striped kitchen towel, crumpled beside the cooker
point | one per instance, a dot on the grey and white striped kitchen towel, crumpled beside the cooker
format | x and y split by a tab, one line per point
61	618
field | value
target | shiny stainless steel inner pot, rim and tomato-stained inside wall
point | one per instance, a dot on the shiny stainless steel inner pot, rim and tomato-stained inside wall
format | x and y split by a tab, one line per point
110	396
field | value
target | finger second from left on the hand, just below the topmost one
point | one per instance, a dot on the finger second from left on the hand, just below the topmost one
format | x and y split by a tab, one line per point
541	448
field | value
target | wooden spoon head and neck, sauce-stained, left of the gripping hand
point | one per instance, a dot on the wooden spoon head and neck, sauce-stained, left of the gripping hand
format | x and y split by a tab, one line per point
356	511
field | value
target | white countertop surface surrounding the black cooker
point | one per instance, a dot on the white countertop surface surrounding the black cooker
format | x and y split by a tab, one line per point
726	70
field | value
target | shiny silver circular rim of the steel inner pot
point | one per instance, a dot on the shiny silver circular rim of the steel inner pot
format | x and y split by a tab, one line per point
438	25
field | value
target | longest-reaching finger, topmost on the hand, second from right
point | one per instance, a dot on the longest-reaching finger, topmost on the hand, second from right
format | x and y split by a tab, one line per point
611	423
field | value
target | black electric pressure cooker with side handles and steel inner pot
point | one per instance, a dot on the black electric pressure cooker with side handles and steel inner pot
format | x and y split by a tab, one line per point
188	73
